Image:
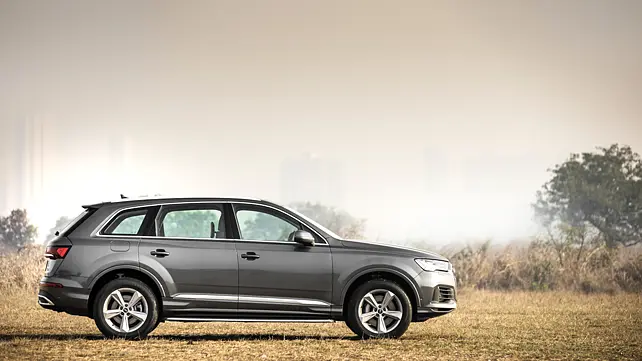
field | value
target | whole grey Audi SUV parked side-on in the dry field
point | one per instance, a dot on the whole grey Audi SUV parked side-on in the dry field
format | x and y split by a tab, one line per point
132	264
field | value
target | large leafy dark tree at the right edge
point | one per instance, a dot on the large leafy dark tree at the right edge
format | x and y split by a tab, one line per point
602	189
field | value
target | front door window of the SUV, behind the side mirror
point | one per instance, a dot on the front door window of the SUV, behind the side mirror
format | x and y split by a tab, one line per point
261	226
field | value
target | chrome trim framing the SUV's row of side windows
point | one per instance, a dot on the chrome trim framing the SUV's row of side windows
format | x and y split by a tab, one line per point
97	232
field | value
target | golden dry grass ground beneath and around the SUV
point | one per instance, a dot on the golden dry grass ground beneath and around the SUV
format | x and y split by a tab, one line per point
487	326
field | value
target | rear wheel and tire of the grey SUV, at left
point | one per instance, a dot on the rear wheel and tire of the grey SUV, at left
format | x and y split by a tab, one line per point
109	312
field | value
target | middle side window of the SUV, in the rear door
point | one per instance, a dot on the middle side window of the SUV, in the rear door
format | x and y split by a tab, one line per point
191	223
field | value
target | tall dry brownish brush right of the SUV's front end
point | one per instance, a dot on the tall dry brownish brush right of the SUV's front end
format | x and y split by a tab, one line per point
566	259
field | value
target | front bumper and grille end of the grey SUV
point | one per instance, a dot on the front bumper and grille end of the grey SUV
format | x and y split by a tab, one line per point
438	294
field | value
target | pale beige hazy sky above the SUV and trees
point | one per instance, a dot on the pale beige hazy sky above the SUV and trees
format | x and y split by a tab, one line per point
444	115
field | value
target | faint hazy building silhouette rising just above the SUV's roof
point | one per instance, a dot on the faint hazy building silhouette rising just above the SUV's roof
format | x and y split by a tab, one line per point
310	178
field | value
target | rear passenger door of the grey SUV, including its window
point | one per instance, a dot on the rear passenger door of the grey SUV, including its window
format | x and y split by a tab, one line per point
188	249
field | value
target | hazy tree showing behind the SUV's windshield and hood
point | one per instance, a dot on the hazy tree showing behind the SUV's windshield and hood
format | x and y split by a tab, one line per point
338	221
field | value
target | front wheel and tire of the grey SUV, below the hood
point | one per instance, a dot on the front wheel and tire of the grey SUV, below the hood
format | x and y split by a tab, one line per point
396	314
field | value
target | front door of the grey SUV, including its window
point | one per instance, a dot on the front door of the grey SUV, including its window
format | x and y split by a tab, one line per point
280	278
